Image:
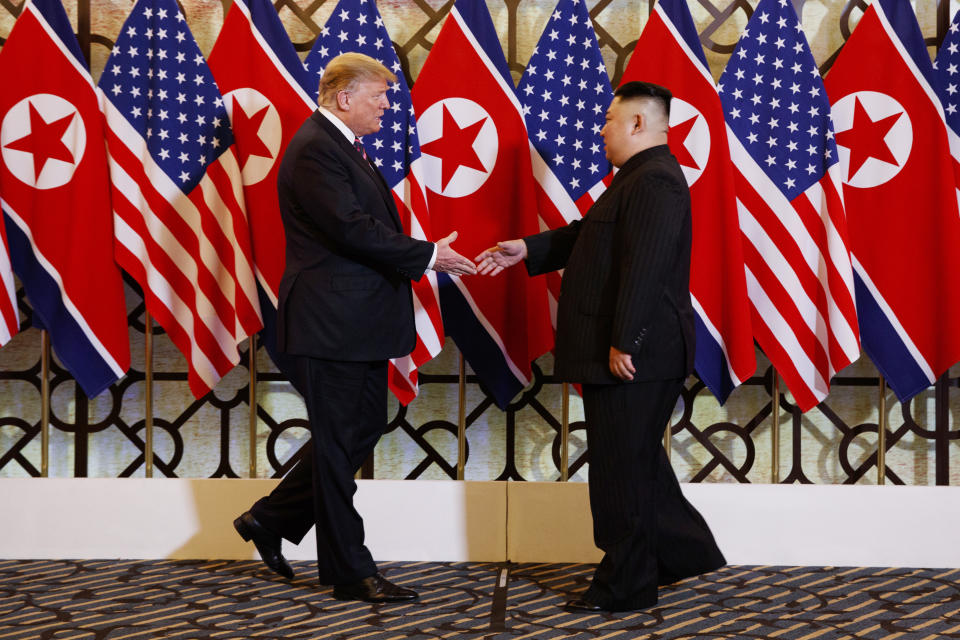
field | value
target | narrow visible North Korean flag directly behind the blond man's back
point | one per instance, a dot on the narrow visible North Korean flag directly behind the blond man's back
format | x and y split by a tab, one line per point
268	94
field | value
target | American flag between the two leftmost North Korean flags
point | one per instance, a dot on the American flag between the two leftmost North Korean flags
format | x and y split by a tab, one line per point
179	216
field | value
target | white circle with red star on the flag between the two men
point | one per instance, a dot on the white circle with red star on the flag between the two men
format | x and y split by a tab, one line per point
465	113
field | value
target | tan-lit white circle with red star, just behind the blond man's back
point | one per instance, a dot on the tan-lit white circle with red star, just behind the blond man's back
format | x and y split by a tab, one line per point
258	132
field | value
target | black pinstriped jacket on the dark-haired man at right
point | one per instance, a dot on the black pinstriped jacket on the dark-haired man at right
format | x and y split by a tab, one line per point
627	277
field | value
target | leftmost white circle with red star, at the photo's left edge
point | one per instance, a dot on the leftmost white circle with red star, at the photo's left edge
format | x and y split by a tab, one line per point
54	113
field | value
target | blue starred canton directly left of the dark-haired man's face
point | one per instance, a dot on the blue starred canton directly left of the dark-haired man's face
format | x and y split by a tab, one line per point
565	92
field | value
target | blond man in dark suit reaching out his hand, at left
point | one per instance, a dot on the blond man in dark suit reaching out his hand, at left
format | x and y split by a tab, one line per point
345	308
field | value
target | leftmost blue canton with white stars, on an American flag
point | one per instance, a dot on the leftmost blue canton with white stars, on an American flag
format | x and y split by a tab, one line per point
158	79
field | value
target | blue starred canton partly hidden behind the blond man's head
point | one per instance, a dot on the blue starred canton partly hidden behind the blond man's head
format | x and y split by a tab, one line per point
355	25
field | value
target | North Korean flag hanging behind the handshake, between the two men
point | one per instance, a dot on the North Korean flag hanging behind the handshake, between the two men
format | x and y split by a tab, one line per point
479	182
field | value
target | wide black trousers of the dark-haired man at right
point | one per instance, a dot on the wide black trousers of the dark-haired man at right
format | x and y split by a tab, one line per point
650	533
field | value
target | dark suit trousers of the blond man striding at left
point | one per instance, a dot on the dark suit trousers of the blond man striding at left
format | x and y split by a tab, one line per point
347	409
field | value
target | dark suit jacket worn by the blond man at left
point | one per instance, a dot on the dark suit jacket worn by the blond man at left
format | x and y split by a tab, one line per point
345	293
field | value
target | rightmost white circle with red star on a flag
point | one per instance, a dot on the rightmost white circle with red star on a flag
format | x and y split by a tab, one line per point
872	171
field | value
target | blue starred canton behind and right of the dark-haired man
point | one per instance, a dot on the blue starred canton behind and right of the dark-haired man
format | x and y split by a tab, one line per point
774	100
